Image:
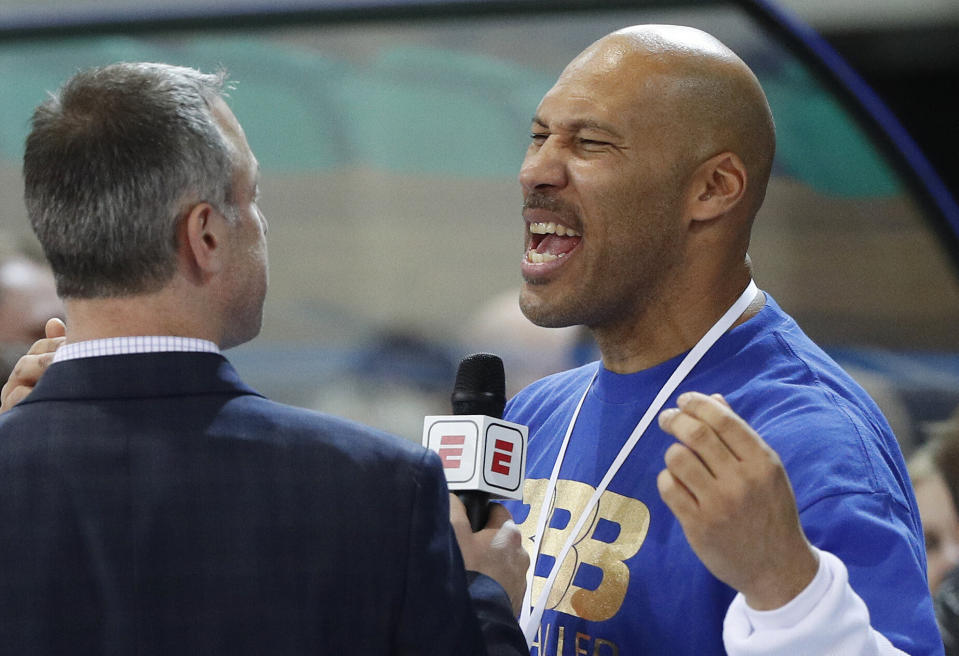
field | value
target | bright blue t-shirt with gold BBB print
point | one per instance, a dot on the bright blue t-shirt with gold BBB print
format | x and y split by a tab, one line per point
631	584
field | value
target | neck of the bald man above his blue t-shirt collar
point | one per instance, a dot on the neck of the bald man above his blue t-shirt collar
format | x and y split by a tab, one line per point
667	329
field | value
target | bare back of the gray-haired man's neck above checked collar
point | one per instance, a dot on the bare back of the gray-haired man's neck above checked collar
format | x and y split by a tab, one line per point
159	313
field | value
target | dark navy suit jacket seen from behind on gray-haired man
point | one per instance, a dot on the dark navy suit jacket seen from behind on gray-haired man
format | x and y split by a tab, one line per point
155	504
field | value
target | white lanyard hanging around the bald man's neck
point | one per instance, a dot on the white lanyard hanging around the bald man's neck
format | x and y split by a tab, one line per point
531	616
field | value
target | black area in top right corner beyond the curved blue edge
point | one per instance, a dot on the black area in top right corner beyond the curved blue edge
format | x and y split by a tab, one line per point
916	72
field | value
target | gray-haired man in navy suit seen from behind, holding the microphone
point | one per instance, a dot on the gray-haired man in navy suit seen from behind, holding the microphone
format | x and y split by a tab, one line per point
152	503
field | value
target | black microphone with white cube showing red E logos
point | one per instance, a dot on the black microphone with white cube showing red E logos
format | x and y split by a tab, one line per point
483	455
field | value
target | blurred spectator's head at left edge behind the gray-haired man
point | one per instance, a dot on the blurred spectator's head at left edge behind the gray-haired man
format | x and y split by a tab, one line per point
28	297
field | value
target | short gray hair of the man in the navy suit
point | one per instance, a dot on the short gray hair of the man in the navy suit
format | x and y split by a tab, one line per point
113	160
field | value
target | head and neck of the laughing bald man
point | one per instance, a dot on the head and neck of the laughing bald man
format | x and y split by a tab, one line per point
647	162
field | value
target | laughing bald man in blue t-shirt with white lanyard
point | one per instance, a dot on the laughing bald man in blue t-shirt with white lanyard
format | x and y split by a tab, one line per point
712	484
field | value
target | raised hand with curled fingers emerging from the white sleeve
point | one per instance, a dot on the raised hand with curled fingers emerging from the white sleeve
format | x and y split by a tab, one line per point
732	497
